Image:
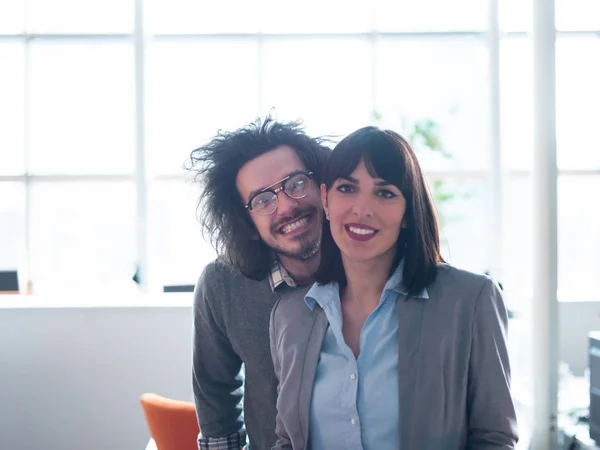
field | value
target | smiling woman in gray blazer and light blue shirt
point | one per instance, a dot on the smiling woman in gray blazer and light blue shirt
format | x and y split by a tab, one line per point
391	348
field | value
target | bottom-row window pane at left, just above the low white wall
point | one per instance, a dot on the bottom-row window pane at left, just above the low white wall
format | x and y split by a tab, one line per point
82	236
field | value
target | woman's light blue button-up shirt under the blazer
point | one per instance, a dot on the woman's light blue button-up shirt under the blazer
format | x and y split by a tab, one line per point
354	403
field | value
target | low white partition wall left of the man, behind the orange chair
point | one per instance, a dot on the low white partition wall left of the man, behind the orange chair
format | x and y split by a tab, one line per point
71	378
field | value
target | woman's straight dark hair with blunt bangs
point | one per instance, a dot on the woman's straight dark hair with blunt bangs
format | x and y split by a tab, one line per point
388	156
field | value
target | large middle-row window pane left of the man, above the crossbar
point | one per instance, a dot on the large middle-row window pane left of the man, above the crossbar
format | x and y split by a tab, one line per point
81	108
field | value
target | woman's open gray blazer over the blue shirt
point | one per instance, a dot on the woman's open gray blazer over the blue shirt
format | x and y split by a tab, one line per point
454	383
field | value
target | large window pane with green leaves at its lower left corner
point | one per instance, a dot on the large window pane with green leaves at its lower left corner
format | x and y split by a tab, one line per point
444	79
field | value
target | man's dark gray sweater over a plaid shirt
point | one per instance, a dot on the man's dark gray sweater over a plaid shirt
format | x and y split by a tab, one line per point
231	327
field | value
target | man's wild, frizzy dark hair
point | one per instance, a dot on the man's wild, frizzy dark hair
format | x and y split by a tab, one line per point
225	222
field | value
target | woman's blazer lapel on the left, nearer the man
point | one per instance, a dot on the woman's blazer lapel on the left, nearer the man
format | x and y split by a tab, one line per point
313	350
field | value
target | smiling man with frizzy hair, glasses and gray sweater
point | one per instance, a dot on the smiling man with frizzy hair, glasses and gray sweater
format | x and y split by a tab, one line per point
261	209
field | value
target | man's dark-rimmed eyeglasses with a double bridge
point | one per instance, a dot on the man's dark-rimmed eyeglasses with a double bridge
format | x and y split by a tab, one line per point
295	185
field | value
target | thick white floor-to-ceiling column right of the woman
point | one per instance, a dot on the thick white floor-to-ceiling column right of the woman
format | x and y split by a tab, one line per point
545	261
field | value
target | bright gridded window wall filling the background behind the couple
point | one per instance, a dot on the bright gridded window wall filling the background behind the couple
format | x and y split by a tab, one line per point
101	103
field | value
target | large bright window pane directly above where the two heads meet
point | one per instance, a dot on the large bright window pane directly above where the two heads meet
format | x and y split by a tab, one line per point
321	81
